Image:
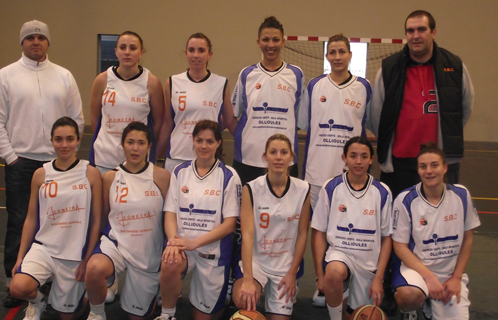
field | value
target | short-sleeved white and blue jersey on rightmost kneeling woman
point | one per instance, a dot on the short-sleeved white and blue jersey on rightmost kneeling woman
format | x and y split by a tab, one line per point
434	233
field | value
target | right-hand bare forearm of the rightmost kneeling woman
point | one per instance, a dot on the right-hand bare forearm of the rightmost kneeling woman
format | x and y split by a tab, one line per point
453	285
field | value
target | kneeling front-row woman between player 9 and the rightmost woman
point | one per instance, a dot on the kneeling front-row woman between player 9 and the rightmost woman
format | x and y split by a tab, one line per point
353	224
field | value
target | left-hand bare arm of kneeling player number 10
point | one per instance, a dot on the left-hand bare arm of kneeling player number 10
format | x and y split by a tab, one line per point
31	222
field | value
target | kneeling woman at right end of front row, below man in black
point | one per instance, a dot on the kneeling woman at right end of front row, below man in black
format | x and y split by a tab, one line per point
433	236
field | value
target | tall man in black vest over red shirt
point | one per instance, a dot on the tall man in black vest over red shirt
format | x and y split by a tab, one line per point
423	93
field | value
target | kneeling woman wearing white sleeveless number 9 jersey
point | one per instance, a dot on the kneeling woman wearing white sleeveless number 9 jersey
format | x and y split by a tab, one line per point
274	219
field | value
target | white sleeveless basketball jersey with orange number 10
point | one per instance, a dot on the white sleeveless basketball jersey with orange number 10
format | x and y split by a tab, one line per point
64	206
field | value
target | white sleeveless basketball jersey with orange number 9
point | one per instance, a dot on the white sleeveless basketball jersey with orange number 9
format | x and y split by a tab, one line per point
276	223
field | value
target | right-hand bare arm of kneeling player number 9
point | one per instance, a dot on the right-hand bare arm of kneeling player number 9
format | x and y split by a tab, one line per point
289	280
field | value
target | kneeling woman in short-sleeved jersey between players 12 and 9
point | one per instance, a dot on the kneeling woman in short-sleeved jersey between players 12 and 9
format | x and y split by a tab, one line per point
201	208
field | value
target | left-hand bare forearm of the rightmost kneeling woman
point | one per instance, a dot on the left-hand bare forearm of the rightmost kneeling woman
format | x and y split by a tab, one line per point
436	289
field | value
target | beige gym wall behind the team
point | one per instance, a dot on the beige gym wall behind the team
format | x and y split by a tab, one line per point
464	27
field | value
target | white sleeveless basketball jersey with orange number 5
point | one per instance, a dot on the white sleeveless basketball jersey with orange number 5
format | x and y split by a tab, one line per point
192	102
